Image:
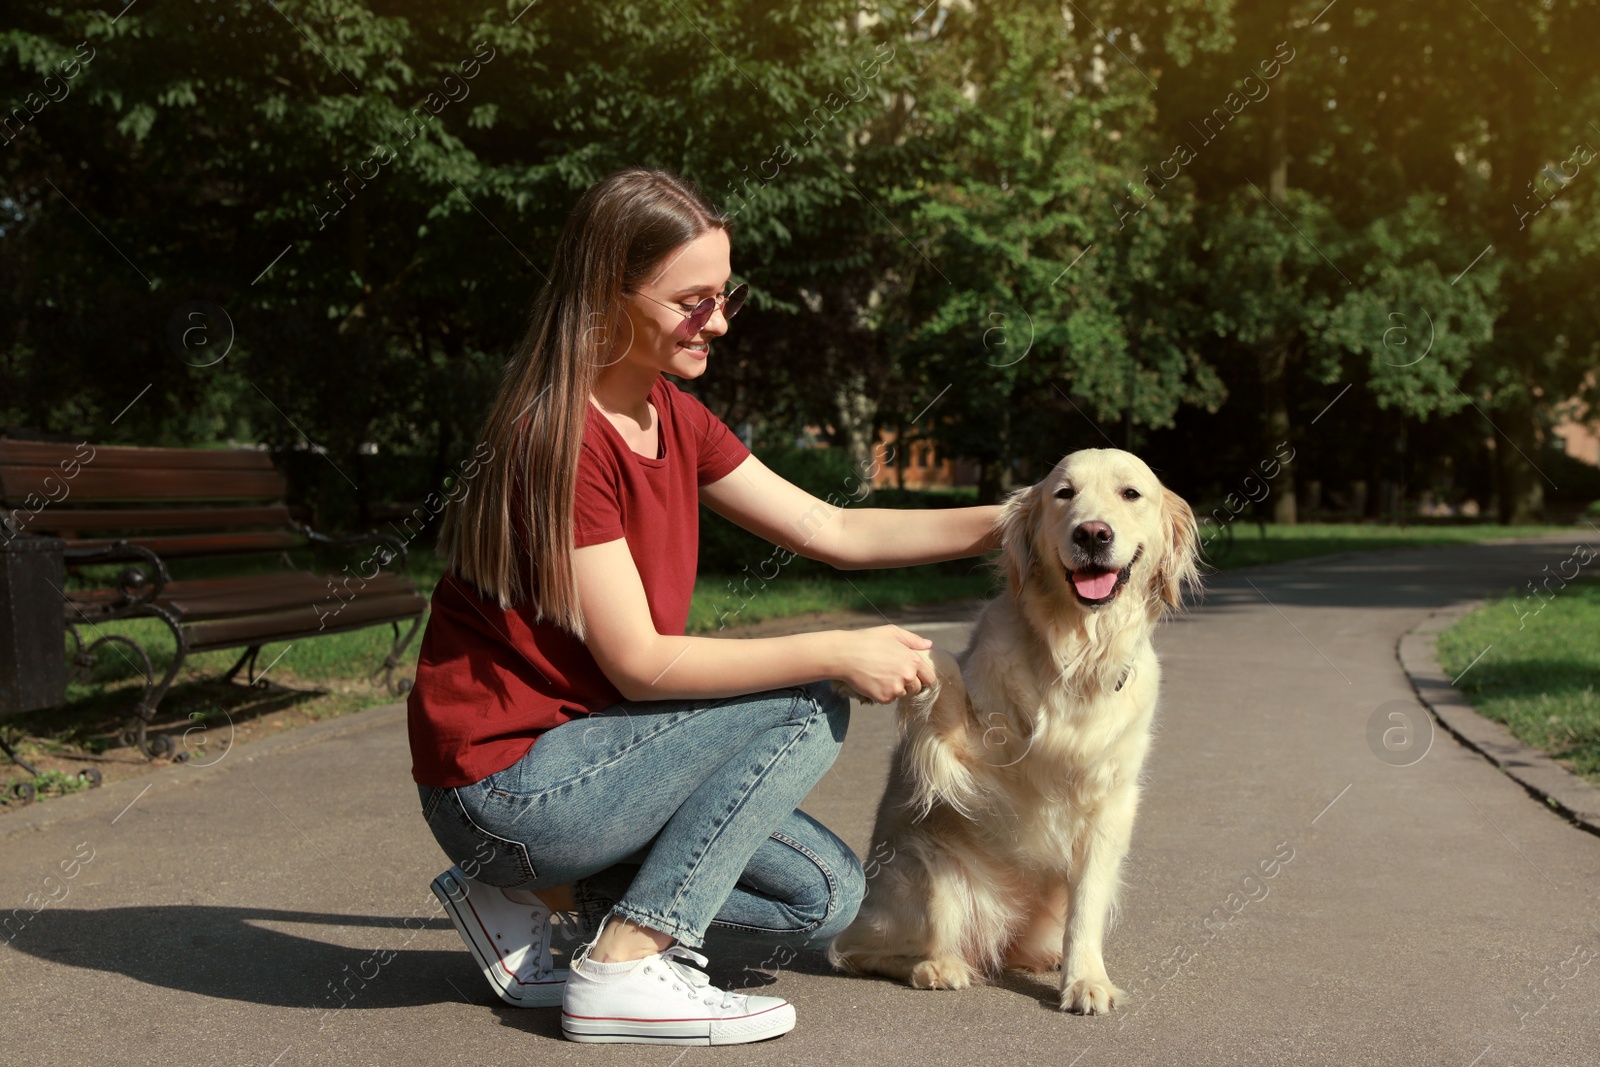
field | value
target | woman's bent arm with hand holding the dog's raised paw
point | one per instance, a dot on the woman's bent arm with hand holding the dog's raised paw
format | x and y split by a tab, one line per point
882	663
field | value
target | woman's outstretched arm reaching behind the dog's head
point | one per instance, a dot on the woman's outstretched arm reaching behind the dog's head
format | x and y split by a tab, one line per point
850	538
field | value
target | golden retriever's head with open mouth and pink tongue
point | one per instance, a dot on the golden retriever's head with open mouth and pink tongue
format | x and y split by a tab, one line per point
1100	524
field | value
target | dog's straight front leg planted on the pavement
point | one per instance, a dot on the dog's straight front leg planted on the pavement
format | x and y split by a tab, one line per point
1086	988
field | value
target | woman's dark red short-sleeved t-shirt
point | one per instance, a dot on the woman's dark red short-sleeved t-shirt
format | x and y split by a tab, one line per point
490	681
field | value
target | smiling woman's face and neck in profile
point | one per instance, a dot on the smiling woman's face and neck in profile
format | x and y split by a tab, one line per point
655	330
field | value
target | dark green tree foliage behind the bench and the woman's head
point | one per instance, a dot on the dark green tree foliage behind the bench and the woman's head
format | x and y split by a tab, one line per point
366	199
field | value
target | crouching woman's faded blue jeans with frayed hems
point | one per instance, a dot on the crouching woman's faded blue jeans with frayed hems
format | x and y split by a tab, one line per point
678	815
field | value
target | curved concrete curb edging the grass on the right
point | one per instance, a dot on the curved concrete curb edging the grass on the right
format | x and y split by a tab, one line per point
1540	775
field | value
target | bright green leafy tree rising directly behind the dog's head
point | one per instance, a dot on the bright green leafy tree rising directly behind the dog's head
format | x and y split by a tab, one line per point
1012	298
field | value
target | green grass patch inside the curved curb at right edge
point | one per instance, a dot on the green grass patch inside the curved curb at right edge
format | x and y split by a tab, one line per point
1542	673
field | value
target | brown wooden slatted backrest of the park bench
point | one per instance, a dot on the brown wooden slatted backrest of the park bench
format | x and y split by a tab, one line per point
174	502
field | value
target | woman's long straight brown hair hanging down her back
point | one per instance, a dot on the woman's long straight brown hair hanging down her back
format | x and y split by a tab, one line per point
615	239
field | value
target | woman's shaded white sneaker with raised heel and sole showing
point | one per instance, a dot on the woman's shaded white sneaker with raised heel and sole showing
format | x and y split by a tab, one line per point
511	941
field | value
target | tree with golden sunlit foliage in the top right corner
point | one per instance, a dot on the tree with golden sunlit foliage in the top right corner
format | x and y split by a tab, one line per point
1386	151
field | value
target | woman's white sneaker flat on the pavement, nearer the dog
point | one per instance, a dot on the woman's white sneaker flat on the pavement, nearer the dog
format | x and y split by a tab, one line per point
662	1001
